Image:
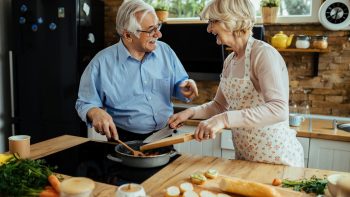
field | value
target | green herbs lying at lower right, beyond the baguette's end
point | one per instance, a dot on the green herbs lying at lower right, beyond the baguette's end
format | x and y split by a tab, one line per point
312	185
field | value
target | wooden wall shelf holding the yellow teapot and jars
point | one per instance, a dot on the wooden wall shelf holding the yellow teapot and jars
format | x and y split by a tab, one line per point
315	58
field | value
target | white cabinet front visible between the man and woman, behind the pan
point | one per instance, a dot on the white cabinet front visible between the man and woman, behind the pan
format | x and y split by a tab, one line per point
205	148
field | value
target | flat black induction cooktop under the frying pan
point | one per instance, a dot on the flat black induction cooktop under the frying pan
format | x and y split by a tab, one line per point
89	160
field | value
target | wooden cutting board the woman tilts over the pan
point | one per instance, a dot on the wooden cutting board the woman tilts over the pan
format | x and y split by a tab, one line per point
180	138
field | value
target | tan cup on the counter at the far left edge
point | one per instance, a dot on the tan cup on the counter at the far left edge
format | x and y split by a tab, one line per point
20	144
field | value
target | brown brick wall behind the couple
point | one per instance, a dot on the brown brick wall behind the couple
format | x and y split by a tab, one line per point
329	91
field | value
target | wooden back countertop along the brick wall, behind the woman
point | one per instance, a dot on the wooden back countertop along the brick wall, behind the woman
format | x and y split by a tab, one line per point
321	129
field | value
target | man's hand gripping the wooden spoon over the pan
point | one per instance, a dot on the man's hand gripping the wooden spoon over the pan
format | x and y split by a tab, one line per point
103	123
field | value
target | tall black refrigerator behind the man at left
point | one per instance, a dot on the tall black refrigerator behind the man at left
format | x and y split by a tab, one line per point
53	41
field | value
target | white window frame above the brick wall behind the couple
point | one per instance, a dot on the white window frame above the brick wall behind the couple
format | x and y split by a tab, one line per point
316	4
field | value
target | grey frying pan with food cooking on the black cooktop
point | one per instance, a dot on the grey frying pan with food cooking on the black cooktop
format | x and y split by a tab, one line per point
157	157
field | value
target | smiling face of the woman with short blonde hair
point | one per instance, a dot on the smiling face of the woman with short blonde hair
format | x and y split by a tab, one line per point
223	36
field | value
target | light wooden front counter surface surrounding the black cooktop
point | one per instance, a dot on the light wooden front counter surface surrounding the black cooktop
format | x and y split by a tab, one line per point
182	167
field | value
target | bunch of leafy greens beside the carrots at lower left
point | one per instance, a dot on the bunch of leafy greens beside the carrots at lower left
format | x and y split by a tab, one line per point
24	177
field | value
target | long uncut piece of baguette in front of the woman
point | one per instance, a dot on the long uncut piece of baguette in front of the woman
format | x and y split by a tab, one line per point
247	188
